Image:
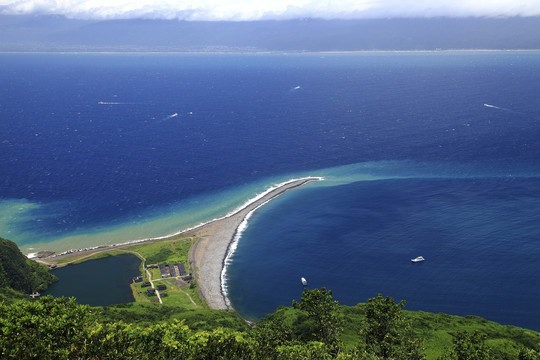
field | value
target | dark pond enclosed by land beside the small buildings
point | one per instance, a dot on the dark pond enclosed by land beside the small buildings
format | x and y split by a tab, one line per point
98	282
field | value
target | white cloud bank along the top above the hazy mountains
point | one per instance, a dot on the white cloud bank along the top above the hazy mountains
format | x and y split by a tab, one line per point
251	10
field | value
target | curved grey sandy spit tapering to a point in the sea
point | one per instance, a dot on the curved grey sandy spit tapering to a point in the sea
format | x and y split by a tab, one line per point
208	255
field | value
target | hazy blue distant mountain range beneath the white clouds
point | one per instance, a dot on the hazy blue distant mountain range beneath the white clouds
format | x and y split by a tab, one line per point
55	33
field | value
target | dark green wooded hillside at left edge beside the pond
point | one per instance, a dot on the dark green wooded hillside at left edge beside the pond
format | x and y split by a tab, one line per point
19	273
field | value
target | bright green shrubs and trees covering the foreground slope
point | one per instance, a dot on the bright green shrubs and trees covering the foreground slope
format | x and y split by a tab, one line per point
62	329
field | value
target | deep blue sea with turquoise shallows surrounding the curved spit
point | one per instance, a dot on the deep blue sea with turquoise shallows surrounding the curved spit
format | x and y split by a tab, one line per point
433	154
